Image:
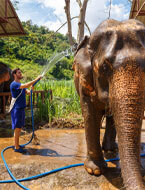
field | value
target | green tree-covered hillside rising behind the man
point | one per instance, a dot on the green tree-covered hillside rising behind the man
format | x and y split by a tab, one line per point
33	52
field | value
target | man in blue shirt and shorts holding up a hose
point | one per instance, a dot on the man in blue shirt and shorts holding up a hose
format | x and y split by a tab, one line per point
18	91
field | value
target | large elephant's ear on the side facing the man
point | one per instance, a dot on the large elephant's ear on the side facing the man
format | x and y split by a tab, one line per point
83	75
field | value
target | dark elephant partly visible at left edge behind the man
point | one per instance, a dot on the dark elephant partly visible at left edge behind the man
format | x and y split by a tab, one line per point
5	81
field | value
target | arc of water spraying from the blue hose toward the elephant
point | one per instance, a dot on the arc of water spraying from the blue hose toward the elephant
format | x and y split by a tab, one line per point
57	57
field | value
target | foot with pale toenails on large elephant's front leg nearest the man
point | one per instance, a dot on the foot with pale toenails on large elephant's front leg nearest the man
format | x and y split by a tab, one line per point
94	167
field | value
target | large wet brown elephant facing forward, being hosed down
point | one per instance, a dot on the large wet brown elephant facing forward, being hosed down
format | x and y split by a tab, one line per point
109	69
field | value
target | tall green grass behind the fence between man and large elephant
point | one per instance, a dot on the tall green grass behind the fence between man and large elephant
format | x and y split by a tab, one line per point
65	99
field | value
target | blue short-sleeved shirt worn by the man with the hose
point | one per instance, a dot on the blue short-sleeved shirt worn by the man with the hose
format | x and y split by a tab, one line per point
15	91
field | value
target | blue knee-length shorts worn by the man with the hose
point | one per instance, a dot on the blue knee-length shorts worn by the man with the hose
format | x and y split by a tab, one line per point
18	118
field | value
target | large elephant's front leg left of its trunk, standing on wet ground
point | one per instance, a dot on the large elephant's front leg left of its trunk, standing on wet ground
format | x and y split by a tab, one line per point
94	164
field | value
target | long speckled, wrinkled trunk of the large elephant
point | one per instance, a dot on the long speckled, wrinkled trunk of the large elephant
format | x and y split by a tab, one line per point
127	104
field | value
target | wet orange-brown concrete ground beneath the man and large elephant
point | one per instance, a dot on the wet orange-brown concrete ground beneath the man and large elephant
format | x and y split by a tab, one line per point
53	149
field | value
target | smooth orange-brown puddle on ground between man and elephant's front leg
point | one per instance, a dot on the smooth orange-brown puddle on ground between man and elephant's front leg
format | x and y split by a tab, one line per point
54	144
